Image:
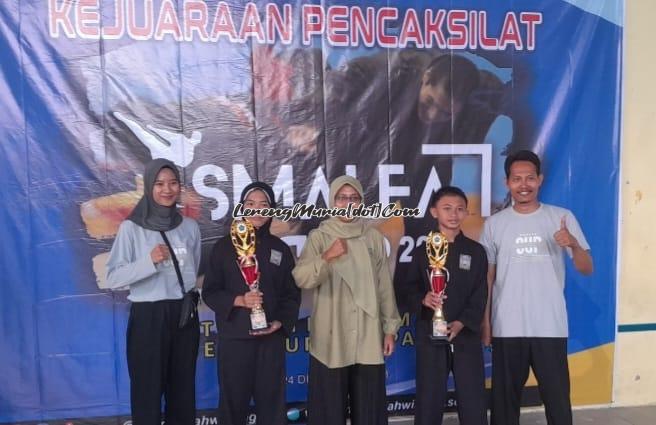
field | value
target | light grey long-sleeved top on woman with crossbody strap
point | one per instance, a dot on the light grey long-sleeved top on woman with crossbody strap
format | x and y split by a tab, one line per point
130	265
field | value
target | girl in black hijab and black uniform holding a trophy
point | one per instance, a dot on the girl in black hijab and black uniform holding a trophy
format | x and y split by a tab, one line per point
252	366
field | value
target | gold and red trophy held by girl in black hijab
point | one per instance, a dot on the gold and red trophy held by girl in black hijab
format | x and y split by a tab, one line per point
242	234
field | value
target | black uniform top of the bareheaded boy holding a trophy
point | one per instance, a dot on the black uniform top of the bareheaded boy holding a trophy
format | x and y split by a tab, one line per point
466	289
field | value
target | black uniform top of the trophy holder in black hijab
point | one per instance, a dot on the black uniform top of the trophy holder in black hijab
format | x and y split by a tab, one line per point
224	281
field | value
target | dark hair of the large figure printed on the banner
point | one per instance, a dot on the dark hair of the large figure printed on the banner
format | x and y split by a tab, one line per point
458	74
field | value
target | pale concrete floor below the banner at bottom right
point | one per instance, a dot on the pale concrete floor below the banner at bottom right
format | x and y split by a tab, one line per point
643	415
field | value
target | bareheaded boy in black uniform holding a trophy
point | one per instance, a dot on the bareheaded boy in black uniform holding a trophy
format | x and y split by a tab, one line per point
463	306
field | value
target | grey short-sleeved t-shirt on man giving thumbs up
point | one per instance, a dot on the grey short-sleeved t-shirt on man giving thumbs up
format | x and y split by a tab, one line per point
528	294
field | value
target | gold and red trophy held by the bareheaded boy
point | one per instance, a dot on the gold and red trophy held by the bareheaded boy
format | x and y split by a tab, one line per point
437	249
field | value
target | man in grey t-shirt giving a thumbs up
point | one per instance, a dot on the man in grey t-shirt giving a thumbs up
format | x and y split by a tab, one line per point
526	317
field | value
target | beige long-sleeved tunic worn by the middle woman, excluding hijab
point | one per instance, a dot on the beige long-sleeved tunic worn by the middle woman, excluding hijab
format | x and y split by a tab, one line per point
342	334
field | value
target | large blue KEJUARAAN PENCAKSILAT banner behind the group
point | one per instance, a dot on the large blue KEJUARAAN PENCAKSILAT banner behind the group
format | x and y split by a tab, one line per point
406	95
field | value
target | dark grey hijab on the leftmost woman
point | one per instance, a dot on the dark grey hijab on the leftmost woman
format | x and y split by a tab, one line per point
148	213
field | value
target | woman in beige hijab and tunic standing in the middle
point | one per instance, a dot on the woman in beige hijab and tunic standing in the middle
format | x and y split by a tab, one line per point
354	317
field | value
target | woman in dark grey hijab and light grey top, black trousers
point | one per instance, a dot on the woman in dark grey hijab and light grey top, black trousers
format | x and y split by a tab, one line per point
161	356
